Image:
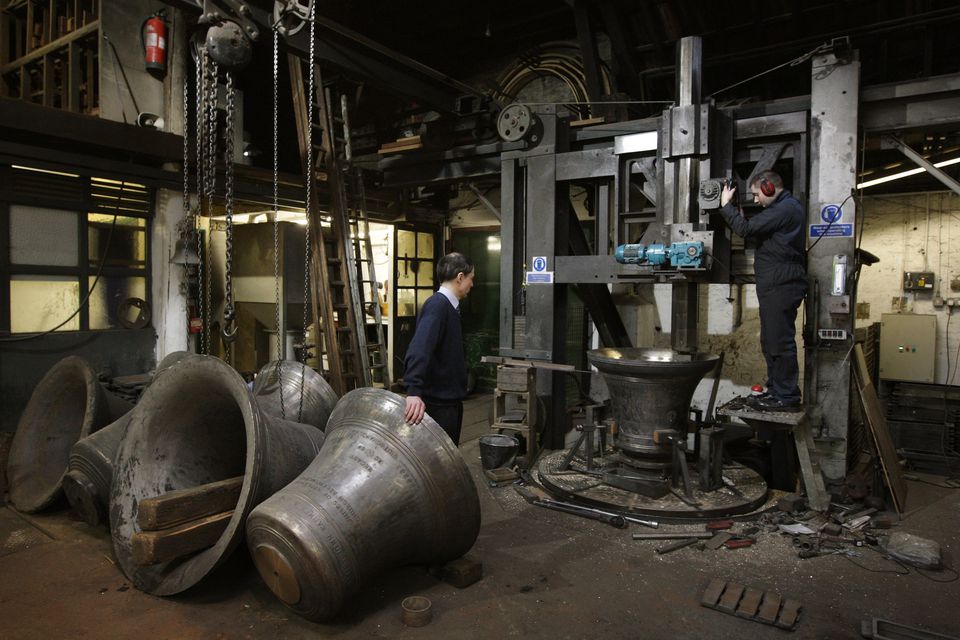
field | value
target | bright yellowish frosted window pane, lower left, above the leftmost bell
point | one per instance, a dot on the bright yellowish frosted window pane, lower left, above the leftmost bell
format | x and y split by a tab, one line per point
39	303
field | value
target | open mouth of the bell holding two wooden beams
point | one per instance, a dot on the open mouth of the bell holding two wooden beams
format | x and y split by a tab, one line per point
195	427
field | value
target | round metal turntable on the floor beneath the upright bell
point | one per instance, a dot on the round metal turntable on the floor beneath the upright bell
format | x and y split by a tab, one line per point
590	490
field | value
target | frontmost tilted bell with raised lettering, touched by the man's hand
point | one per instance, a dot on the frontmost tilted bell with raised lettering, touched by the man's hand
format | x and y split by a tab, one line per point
382	493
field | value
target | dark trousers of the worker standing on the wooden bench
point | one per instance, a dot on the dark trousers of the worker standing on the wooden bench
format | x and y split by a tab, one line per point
778	338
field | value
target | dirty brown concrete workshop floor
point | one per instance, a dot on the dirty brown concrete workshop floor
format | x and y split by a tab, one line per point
546	575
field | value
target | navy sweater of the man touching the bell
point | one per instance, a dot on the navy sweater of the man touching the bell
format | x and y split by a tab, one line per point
435	366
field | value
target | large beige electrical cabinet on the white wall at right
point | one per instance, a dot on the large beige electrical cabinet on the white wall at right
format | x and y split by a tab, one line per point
908	347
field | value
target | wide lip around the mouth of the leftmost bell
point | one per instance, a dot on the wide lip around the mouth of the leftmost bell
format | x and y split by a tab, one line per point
40	499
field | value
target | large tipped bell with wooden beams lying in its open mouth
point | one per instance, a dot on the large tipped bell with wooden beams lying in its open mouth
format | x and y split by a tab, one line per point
198	426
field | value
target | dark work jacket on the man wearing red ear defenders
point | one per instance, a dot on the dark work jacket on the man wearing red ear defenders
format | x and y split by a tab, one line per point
778	230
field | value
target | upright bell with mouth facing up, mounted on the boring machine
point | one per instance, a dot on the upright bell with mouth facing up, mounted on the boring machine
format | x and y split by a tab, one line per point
650	390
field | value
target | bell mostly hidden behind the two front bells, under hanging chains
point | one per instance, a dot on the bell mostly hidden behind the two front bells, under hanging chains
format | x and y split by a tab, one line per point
294	391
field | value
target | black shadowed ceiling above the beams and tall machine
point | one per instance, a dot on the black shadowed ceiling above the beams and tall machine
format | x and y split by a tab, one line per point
473	42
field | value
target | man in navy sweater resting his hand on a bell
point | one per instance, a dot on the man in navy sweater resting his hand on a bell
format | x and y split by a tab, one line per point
435	368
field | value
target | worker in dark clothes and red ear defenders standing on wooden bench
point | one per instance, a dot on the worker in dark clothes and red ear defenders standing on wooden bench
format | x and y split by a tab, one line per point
780	267
